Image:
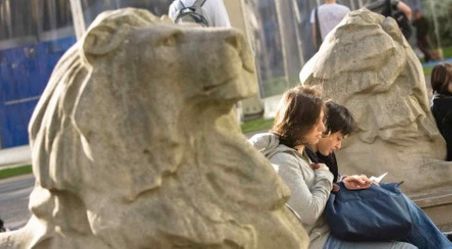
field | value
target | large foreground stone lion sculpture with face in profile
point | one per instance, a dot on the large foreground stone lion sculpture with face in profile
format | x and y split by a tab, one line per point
134	145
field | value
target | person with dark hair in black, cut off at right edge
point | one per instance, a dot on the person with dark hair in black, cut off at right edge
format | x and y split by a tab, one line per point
441	81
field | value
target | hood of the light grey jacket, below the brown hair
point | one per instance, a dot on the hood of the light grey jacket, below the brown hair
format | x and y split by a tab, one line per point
268	144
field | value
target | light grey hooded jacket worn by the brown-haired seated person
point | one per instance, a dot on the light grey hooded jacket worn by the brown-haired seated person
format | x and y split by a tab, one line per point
309	188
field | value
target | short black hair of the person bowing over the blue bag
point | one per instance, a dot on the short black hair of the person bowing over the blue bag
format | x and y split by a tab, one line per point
339	119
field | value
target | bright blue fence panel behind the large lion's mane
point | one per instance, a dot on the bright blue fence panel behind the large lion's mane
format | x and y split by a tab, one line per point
24	73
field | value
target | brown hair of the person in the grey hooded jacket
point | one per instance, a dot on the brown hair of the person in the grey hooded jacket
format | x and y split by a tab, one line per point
298	112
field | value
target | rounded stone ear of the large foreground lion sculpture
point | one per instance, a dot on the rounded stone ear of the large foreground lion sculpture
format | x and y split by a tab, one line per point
103	39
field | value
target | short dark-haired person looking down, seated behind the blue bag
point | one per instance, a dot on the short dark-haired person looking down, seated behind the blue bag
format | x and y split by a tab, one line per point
340	123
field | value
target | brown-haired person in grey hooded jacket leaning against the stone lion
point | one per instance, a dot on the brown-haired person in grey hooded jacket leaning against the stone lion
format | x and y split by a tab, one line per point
299	122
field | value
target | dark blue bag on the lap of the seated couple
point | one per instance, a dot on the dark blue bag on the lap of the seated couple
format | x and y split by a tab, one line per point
379	213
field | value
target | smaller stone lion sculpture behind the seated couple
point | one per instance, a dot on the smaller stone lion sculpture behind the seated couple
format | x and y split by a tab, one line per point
367	65
